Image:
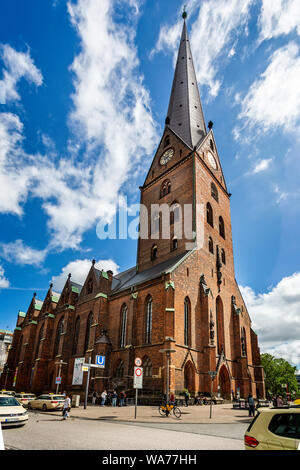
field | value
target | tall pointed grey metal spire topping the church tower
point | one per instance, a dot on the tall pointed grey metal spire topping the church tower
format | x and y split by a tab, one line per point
185	116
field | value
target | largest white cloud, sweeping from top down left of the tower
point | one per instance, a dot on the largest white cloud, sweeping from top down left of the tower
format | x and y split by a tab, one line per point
113	129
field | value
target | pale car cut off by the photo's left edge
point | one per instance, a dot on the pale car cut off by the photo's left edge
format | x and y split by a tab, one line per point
11	412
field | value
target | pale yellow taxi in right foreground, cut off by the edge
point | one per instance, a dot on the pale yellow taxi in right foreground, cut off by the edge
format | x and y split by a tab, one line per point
274	429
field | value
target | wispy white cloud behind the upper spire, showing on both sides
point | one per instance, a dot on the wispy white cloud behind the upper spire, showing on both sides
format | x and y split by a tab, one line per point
213	35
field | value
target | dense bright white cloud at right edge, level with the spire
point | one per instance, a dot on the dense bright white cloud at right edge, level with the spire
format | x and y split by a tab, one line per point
273	100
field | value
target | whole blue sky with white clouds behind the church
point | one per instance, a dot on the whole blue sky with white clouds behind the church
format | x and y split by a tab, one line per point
85	86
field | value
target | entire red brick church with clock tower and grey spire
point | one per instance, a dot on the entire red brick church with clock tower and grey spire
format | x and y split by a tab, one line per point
182	294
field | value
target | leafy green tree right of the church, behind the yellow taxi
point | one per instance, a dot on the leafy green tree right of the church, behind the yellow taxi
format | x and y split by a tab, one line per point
278	372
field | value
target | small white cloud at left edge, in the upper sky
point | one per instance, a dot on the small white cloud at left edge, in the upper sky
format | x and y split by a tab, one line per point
17	65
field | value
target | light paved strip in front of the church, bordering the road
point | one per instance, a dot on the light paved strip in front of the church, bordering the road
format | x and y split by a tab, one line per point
150	414
